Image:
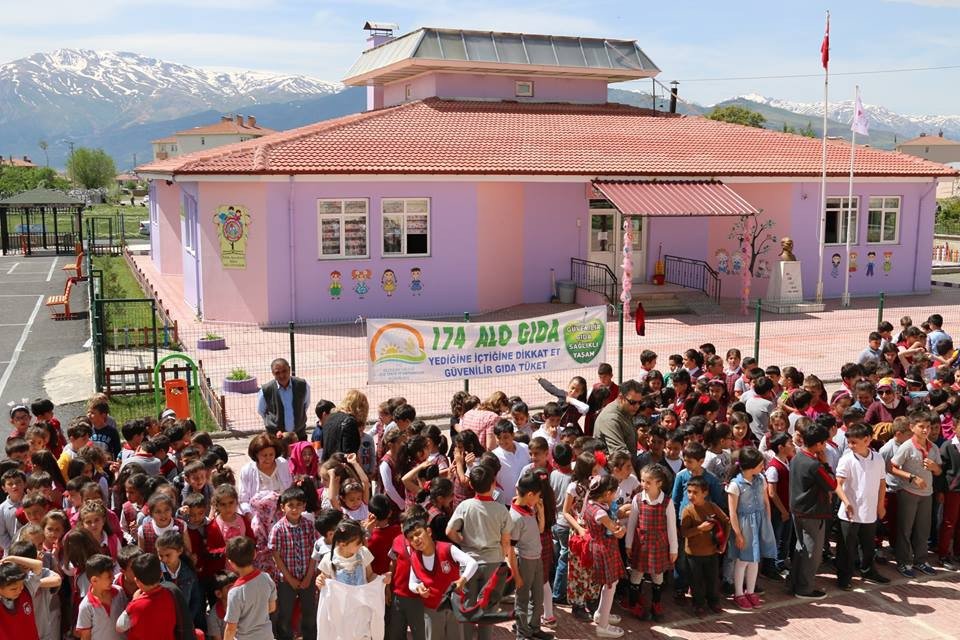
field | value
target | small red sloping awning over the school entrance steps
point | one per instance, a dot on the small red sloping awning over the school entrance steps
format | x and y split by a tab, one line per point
672	198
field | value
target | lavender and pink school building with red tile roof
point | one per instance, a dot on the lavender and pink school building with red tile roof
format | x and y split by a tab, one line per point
489	164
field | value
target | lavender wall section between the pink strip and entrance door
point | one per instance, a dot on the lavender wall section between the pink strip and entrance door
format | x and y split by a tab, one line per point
552	235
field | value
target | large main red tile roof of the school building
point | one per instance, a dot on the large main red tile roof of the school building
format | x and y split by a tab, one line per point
435	136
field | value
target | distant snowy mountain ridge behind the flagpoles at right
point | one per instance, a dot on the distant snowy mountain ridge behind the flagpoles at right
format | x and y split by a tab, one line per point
879	116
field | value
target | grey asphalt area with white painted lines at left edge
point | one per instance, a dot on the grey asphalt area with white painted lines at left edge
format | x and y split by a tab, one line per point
31	343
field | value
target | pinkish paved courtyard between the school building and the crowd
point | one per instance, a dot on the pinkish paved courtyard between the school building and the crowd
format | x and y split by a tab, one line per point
332	357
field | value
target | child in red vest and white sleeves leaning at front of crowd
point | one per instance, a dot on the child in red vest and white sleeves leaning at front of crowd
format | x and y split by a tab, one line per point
434	567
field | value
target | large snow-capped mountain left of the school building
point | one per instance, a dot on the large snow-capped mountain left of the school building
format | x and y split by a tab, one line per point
105	89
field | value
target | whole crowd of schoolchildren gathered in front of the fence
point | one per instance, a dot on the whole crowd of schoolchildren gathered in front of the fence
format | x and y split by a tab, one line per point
695	480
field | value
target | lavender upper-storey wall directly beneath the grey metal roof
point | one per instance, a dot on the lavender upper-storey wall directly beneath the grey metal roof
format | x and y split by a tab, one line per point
495	87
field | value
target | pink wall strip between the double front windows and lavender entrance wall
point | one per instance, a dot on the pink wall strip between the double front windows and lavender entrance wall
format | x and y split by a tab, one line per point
500	244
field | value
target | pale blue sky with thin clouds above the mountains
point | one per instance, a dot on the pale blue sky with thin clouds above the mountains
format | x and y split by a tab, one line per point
688	40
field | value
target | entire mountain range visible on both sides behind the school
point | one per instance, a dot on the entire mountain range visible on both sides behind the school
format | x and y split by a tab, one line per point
120	101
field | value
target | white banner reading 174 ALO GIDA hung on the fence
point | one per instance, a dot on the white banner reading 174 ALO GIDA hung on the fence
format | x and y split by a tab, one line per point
415	351
